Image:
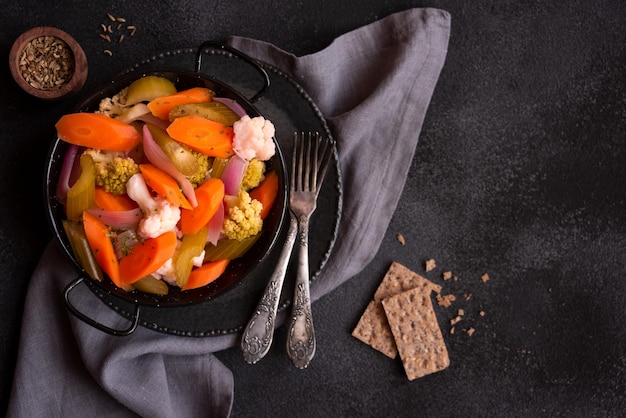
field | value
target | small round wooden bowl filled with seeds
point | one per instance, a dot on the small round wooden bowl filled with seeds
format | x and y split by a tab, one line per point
48	63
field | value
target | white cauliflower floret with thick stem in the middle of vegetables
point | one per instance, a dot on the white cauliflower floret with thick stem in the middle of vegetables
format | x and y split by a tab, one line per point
159	215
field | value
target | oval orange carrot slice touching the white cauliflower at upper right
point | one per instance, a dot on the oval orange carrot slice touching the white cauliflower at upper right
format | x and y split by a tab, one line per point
203	135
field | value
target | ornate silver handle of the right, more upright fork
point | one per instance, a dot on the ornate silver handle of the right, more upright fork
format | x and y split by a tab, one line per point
301	335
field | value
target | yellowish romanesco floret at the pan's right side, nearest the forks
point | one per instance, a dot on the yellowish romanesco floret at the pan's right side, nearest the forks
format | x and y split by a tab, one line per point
243	218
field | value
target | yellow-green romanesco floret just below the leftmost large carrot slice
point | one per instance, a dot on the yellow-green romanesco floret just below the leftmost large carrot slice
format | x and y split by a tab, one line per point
113	169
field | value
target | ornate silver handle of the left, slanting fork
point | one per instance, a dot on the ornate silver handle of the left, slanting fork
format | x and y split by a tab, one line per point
258	334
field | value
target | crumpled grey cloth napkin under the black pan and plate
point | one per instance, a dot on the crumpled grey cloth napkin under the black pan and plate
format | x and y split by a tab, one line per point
373	85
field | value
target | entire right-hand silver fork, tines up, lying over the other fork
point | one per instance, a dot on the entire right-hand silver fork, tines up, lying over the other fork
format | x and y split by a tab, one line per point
311	155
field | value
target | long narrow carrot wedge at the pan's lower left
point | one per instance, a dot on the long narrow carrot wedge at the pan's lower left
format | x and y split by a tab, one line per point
102	248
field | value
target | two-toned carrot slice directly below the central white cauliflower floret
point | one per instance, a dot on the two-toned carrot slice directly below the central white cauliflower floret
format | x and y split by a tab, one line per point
146	257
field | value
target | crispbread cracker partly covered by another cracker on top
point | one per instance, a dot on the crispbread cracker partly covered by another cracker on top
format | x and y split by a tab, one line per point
373	328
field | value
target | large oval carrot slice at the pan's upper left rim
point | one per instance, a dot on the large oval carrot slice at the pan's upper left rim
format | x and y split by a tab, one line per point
96	130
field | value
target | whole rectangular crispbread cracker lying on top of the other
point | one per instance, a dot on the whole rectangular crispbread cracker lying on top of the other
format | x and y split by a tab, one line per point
416	332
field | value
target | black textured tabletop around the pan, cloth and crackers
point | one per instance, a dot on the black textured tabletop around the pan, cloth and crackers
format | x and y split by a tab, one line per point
519	172
